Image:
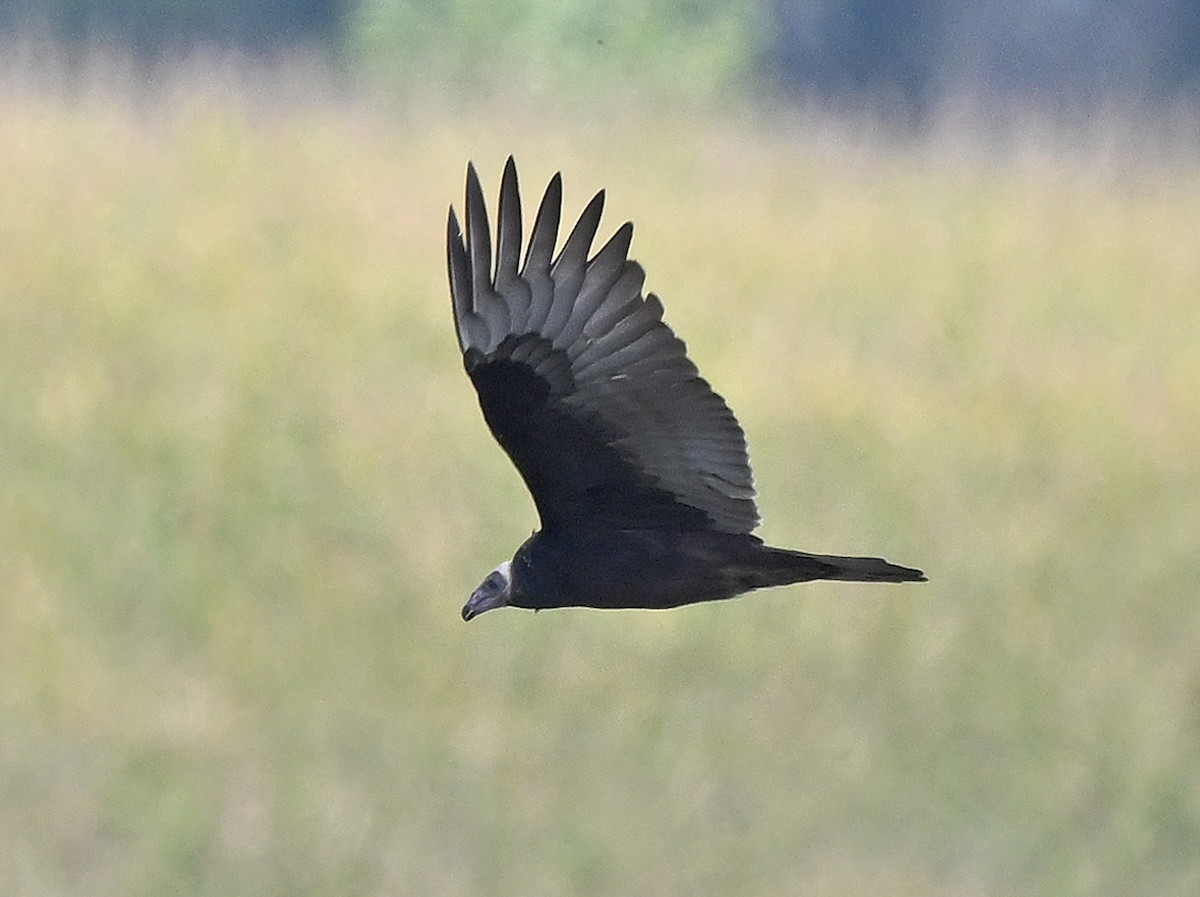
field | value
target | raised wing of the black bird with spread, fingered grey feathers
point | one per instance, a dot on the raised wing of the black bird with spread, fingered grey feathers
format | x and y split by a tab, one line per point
580	381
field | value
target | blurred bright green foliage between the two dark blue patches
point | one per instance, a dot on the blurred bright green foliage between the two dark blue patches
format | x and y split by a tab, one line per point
581	47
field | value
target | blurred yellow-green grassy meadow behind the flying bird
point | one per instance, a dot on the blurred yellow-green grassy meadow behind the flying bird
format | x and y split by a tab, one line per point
245	489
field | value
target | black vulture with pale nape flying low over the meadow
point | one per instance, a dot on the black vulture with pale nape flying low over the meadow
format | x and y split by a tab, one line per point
639	471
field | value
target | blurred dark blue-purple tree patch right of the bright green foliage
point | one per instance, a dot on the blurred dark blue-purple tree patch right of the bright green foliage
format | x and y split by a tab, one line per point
1051	51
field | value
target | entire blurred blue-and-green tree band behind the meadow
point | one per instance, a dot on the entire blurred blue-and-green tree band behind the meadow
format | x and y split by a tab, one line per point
908	57
